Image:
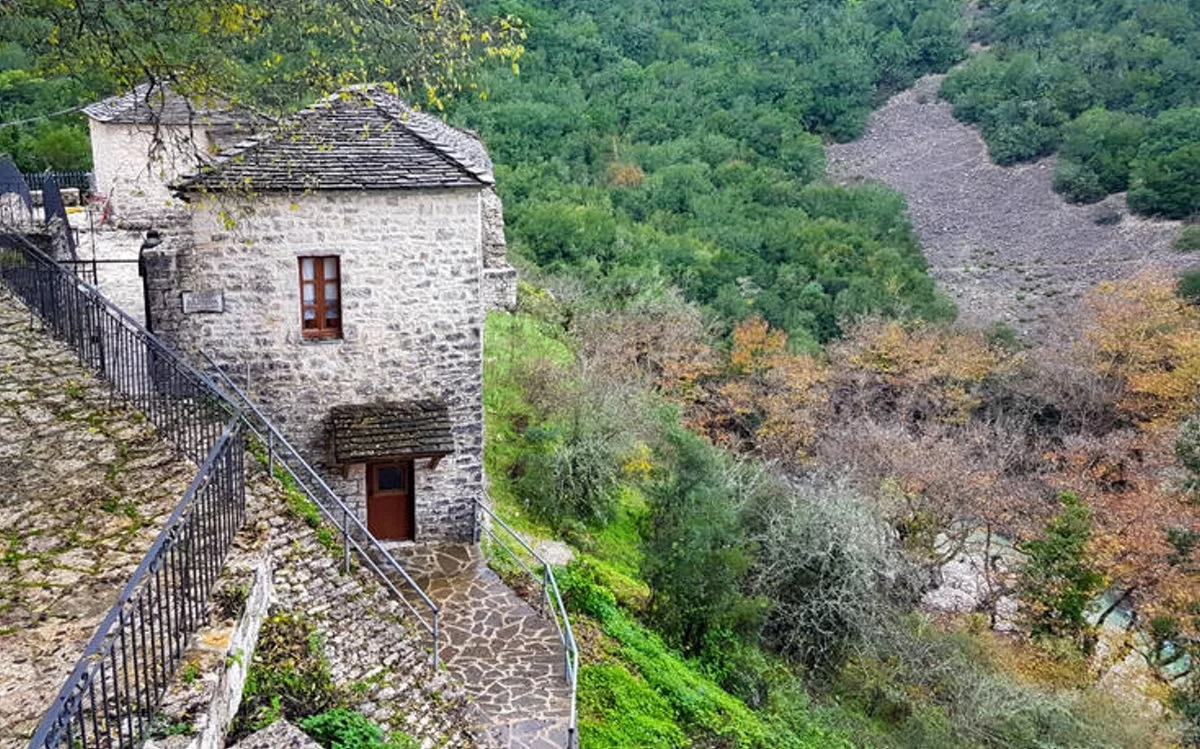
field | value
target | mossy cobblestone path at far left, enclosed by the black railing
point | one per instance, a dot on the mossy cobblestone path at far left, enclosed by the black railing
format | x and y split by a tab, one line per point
86	486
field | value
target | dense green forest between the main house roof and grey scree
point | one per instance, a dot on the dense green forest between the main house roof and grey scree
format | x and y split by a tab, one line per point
641	147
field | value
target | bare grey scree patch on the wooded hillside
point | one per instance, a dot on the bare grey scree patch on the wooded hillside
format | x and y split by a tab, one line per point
999	239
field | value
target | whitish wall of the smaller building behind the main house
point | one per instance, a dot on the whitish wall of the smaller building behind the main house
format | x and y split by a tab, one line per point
134	175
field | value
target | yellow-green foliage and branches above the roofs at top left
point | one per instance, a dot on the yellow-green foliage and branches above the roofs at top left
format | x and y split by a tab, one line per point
57	56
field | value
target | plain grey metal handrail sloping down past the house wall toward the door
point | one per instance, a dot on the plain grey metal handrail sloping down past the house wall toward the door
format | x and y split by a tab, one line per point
275	444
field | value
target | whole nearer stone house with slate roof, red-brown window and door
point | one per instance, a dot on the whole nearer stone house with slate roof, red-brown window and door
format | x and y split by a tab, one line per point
343	263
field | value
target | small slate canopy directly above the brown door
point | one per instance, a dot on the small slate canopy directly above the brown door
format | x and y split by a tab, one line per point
364	433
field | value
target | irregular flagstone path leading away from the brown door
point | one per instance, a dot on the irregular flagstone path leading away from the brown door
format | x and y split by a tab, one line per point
503	650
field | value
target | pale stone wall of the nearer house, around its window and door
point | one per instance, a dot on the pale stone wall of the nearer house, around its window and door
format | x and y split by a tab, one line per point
412	322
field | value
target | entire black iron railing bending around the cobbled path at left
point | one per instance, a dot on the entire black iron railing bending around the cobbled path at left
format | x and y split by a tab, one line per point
112	694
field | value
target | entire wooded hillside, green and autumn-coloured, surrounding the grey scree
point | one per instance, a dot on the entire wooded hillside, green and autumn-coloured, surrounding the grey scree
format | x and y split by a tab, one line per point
735	392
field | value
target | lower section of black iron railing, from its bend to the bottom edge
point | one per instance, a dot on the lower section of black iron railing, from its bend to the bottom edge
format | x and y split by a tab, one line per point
112	697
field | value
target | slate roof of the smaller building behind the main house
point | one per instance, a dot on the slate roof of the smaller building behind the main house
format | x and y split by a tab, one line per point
149	105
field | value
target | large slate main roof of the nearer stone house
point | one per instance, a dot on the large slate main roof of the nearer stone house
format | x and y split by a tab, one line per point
361	139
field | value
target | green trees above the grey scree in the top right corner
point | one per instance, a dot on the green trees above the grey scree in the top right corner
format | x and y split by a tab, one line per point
1111	86
